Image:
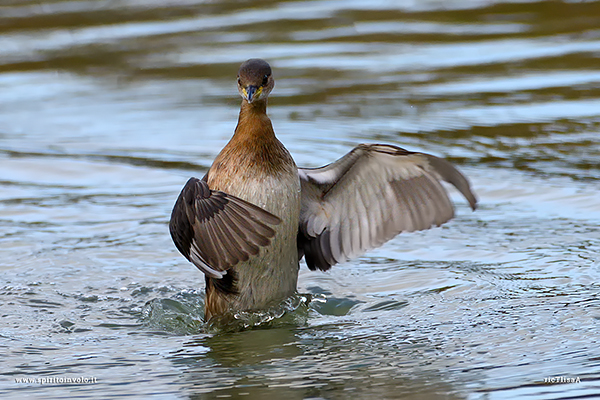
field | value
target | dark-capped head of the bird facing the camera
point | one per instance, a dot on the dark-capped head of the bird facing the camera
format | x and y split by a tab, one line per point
255	80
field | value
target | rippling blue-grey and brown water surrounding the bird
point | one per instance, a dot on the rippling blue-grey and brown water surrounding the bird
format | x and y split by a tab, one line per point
107	107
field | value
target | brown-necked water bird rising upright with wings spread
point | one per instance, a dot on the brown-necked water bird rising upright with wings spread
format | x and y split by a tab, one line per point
254	215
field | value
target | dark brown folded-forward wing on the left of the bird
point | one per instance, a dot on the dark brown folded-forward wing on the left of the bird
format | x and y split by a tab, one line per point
215	231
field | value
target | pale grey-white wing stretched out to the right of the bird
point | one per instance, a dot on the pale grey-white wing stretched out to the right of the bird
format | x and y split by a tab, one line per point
369	196
